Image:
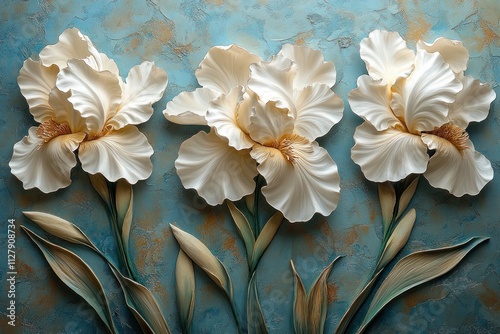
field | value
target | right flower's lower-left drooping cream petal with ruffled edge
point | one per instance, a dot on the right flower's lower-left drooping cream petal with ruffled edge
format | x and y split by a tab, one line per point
388	155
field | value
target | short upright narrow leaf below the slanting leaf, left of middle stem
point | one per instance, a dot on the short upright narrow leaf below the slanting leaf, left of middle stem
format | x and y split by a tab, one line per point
184	287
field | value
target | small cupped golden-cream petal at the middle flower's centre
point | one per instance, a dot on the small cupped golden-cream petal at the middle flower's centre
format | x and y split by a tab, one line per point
268	123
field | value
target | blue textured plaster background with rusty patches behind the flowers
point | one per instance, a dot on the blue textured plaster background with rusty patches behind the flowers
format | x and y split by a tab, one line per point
176	35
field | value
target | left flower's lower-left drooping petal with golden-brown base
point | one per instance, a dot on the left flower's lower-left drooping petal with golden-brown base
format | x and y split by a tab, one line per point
45	165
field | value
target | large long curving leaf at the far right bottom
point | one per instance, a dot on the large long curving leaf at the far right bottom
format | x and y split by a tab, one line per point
416	269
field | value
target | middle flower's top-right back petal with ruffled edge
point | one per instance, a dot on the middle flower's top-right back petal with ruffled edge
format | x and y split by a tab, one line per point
312	67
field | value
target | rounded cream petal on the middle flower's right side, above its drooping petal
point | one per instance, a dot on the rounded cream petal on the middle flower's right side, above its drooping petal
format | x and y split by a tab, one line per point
318	109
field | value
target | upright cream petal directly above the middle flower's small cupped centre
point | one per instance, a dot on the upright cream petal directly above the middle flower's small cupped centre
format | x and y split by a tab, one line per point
273	81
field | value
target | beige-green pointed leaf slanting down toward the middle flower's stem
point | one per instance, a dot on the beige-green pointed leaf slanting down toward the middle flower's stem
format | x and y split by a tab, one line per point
203	257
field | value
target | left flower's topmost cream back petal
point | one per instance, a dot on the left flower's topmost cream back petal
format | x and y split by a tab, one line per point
72	44
